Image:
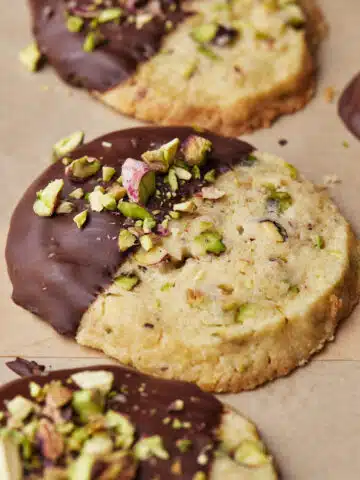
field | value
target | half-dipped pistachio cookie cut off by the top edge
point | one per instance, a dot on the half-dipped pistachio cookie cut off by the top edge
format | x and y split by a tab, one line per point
230	67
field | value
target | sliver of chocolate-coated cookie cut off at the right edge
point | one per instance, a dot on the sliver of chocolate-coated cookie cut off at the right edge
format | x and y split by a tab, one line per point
349	106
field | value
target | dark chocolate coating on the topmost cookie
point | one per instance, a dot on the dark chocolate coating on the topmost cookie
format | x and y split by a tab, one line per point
125	46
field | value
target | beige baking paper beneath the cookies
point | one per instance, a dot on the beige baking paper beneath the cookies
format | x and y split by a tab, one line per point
311	419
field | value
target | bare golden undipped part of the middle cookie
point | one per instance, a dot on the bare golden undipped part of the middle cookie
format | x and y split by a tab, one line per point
256	311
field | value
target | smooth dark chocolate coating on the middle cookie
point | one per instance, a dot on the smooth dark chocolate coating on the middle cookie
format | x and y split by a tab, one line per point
57	270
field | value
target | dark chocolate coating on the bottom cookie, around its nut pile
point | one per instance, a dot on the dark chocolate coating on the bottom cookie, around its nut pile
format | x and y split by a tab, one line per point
146	401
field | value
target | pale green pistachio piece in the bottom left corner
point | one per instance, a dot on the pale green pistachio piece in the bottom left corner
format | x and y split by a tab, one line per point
11	467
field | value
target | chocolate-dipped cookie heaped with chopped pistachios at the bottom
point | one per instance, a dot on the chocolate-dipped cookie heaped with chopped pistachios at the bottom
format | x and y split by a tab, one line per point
109	423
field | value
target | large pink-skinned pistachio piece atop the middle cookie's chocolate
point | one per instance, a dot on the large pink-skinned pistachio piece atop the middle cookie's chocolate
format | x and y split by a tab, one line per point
138	180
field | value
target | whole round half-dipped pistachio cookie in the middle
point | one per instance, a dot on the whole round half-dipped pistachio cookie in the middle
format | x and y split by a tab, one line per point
209	262
